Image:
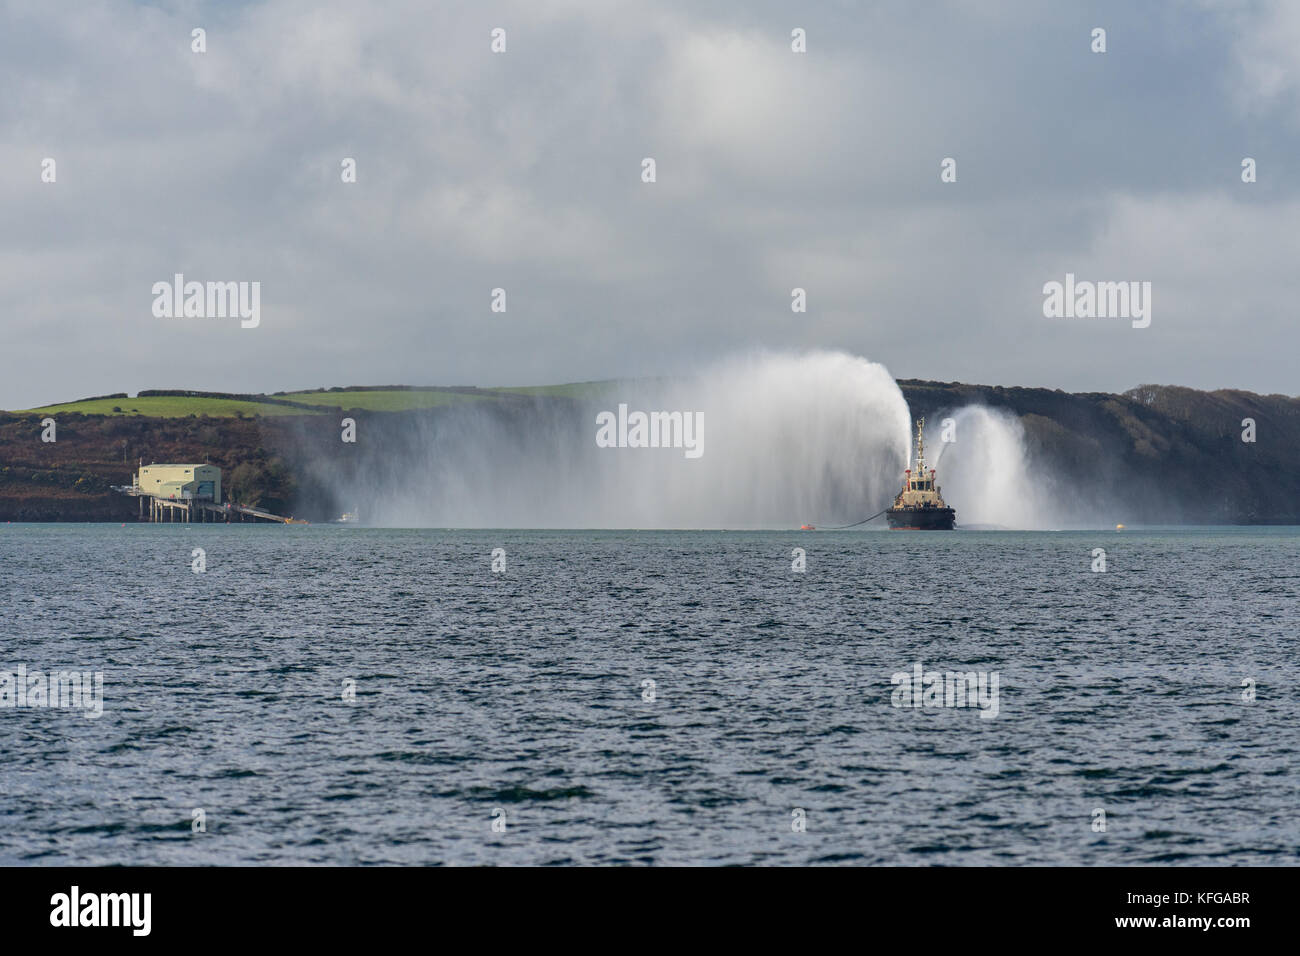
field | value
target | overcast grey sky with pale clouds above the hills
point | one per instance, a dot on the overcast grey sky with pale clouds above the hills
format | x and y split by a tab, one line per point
523	171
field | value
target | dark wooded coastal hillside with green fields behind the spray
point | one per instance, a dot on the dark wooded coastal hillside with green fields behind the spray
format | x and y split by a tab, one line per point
1154	455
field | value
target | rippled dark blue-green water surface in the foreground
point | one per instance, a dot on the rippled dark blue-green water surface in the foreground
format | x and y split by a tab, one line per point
522	697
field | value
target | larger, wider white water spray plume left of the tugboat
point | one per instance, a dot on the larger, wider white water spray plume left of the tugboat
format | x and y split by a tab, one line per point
787	439
